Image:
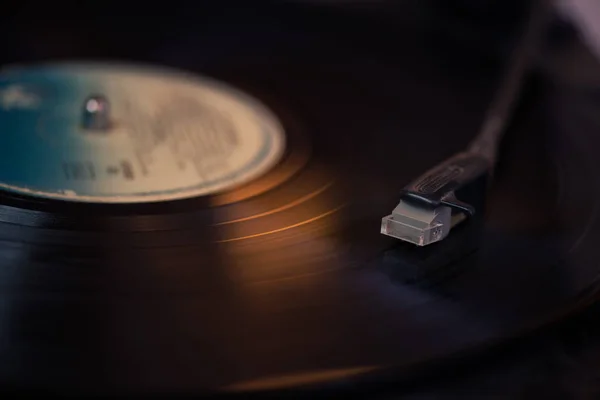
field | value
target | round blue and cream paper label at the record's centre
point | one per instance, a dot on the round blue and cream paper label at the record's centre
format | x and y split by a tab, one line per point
122	134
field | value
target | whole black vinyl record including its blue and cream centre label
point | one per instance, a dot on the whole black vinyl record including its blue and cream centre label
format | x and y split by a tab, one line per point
277	277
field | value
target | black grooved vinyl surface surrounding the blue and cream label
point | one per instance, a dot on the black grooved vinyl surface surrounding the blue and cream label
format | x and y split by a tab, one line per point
286	282
